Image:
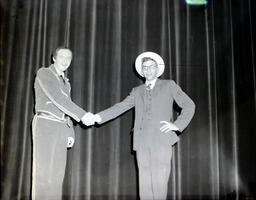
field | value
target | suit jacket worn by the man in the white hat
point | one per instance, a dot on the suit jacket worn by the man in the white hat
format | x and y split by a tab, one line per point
147	125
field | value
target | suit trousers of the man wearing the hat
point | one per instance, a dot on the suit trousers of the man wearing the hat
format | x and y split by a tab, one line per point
154	165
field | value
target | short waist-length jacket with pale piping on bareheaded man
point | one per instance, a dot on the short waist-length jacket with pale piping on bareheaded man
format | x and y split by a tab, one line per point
52	95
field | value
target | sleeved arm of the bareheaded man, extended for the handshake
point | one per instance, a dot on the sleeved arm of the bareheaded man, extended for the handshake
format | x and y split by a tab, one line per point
51	88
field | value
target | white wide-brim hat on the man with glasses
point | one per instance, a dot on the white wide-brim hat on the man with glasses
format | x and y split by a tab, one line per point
155	57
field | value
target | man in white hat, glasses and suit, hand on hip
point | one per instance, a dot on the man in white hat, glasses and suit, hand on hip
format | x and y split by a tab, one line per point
154	129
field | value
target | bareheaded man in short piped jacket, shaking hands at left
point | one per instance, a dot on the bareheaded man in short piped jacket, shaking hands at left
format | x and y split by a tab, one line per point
52	128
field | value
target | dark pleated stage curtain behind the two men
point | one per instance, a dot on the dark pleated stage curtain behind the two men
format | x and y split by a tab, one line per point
208	50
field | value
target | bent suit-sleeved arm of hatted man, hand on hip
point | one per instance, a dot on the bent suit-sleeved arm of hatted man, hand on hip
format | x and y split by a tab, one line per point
186	104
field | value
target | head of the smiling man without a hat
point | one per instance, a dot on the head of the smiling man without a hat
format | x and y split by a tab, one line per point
62	59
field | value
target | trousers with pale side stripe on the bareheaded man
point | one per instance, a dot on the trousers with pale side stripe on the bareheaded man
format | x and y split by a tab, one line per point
49	158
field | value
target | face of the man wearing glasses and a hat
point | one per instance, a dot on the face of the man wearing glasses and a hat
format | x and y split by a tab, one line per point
149	70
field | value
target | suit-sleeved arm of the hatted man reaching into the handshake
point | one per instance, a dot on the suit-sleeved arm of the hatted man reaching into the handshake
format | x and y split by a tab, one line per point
118	108
